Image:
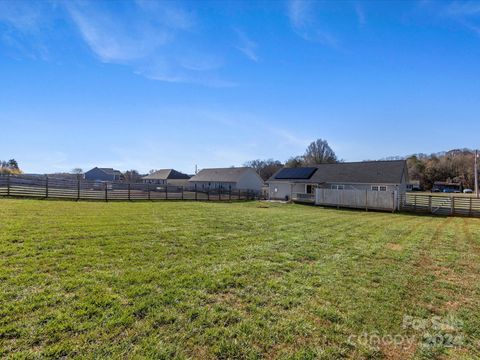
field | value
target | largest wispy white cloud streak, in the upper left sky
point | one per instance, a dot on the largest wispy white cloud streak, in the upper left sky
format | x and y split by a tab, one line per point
153	39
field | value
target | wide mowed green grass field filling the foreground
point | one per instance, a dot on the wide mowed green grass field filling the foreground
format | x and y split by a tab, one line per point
230	280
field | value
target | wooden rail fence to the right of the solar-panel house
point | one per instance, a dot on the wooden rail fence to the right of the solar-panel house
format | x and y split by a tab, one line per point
440	204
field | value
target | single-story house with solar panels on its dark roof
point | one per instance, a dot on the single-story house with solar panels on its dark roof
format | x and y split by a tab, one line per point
367	175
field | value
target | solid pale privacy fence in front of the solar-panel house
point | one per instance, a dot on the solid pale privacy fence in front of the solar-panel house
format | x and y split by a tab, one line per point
363	199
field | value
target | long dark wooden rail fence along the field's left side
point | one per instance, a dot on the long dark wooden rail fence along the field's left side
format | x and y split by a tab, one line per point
54	188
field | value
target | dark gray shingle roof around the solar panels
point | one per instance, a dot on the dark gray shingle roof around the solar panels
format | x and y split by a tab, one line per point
367	172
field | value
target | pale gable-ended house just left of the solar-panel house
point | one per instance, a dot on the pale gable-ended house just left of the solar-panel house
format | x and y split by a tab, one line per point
244	178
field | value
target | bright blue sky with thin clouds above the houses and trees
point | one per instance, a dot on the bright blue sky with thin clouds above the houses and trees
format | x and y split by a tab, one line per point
149	85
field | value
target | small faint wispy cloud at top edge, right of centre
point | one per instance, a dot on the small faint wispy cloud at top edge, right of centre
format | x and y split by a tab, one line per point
303	22
